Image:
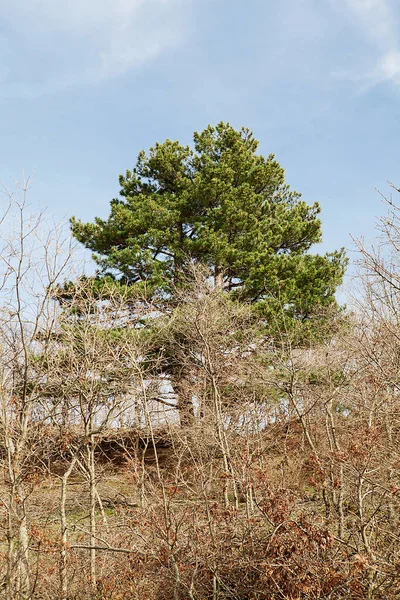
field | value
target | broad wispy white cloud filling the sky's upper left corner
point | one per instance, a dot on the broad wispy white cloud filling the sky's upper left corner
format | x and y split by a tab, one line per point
52	45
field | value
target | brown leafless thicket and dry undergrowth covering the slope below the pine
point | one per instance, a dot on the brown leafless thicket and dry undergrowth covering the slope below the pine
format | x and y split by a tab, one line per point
279	479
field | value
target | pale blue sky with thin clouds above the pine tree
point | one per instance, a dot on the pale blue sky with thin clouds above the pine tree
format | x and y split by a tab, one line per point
85	85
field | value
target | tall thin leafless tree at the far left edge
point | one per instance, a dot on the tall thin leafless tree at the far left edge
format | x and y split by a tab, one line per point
32	259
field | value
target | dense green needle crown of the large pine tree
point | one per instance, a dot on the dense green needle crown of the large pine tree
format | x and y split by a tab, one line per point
223	205
